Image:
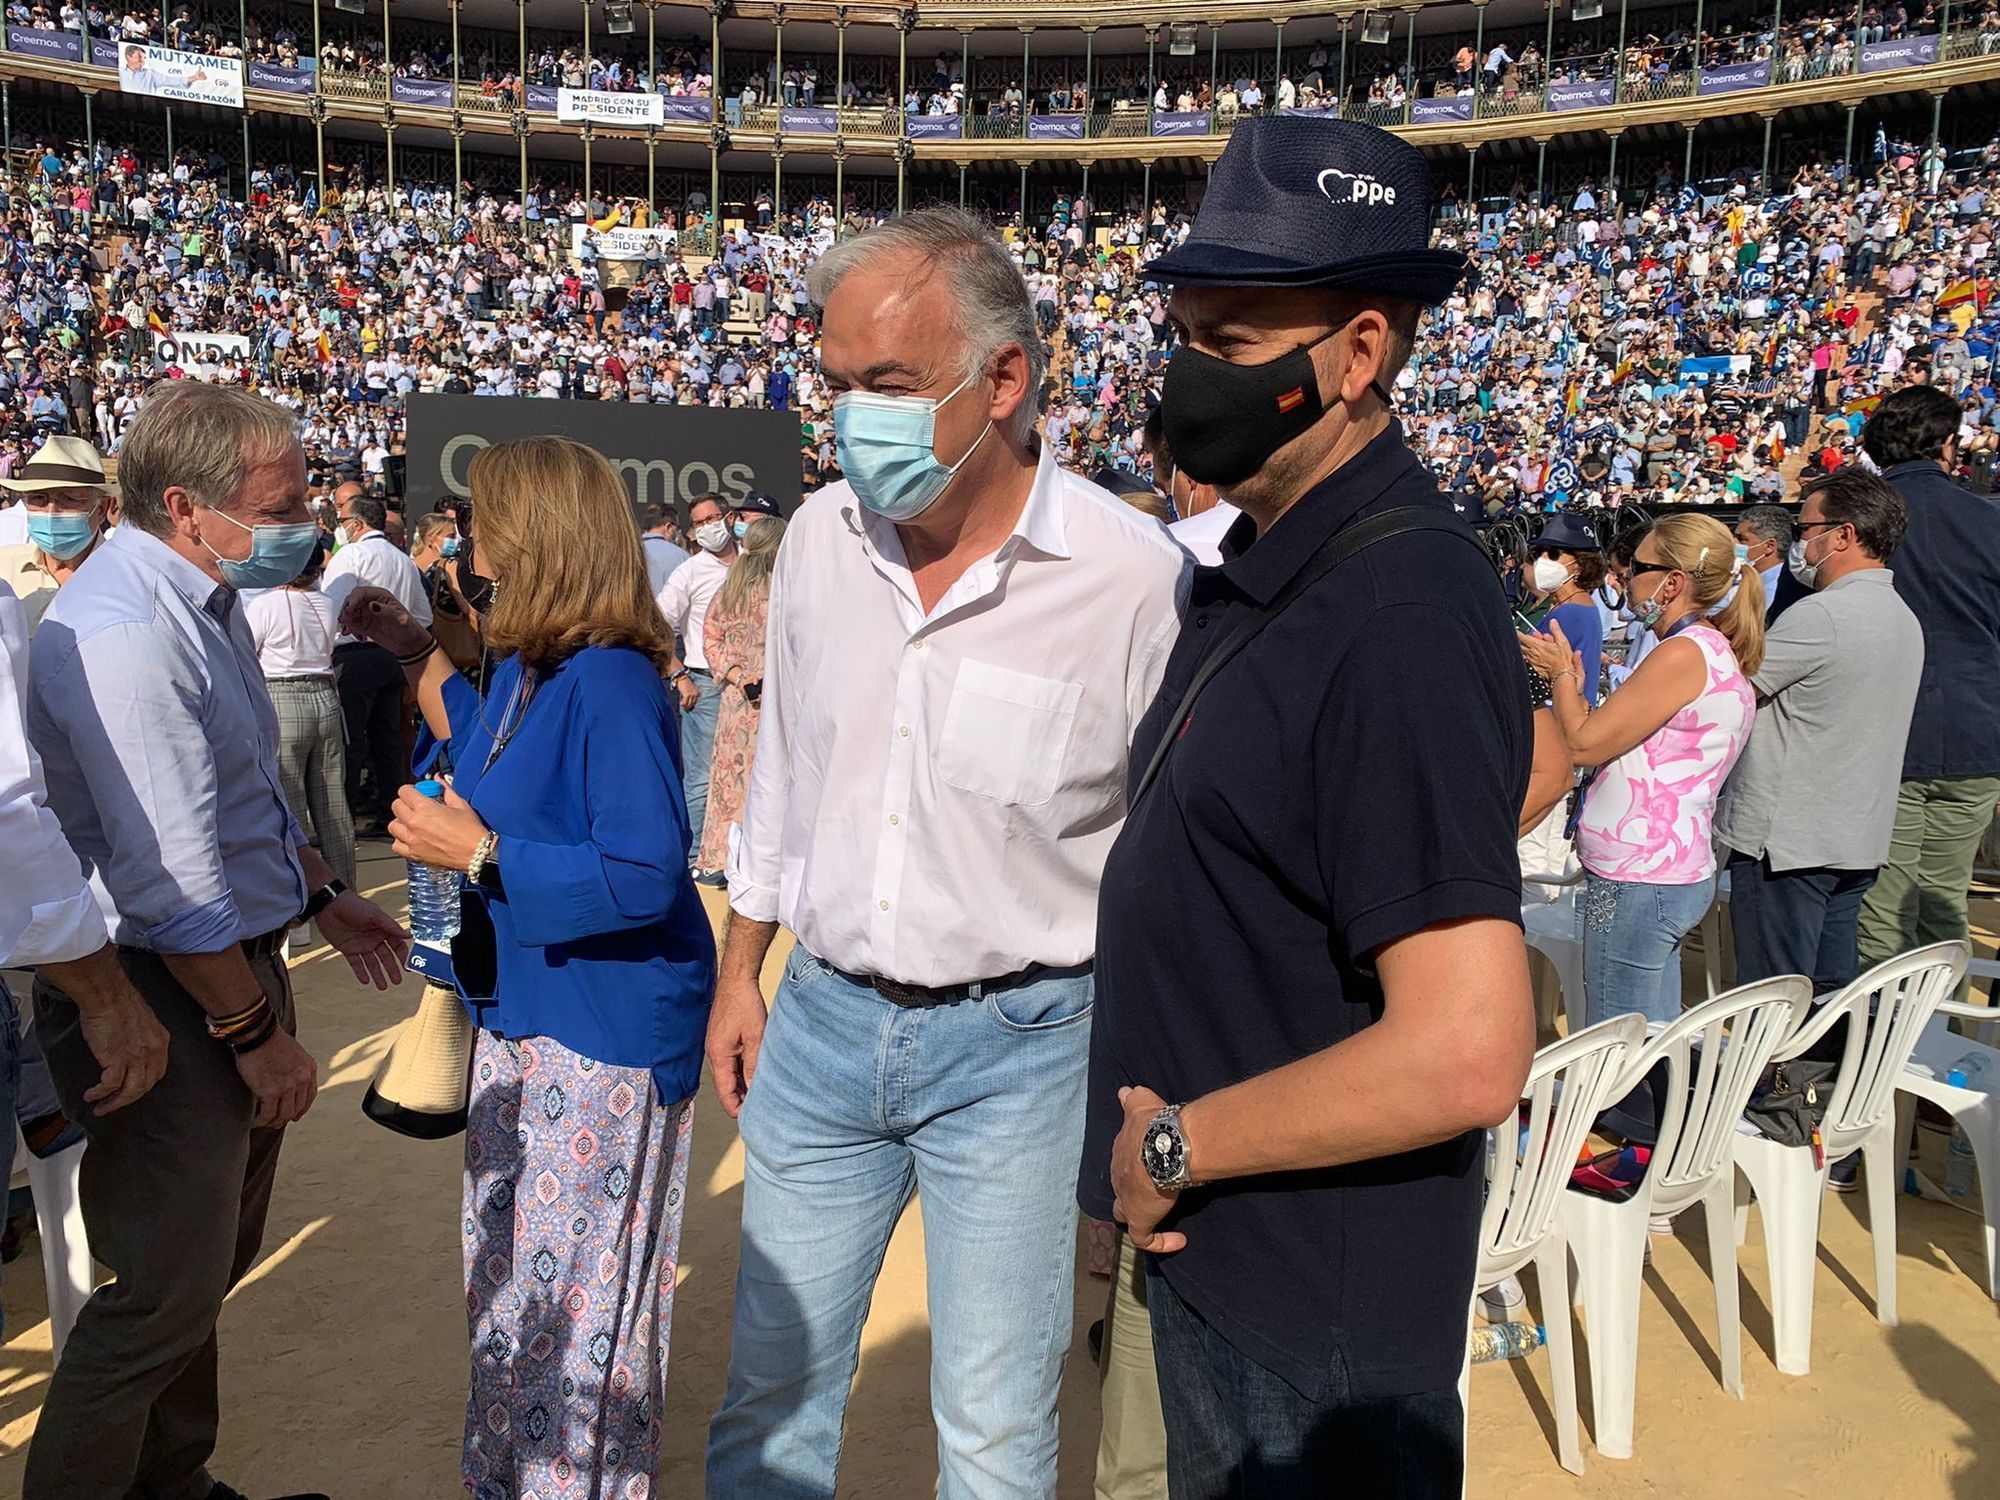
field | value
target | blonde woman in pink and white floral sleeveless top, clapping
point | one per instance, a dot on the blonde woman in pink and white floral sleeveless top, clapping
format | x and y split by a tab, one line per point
1661	745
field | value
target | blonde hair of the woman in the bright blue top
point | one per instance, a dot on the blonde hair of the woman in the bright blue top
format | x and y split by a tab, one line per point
555	521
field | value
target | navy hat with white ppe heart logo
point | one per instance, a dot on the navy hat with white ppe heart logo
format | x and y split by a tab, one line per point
1305	201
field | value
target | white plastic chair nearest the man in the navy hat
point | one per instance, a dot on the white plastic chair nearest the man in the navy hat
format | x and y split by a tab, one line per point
1527	1171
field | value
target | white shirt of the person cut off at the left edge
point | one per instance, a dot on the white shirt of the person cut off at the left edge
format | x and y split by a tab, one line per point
47	909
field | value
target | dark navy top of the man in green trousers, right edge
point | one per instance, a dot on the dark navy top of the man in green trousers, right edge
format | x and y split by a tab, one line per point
1949	575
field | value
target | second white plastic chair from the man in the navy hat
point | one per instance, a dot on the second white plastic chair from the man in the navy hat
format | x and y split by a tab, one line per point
1713	1059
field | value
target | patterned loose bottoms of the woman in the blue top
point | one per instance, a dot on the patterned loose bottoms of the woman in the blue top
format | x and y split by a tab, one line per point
575	1189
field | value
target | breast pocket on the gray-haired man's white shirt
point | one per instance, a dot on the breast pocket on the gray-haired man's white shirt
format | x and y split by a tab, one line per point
1007	733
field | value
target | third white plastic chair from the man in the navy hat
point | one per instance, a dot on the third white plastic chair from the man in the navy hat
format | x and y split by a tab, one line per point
1889	1009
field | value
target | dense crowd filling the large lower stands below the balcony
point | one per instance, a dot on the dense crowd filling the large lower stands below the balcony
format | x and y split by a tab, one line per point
1691	343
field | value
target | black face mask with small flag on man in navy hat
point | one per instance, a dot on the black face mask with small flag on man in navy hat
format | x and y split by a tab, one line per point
1225	421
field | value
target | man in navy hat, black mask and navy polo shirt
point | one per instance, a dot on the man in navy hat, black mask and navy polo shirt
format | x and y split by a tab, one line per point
1291	1077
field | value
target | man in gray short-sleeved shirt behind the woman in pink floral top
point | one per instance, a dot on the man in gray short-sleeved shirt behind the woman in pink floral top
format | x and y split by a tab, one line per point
1813	801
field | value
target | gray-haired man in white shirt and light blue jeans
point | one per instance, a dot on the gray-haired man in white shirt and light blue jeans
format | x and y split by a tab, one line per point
963	639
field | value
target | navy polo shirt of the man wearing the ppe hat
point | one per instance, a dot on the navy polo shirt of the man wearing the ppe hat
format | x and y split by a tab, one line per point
1355	775
